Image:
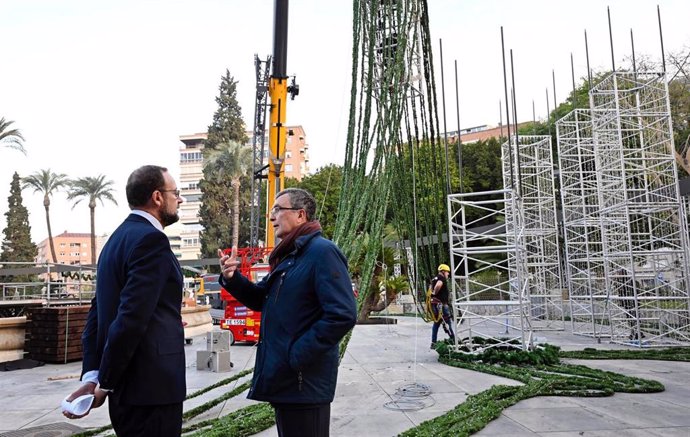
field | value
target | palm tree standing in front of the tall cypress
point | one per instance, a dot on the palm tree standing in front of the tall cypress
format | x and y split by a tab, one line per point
233	160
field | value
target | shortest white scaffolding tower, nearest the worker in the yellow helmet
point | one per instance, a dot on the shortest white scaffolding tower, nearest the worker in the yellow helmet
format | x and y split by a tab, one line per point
489	277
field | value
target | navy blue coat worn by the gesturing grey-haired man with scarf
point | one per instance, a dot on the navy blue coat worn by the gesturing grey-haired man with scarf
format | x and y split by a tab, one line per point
307	305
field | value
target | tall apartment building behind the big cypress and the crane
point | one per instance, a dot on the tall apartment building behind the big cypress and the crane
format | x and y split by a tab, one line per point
184	235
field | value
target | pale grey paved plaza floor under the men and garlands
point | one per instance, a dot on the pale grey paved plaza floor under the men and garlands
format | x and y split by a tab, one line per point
378	392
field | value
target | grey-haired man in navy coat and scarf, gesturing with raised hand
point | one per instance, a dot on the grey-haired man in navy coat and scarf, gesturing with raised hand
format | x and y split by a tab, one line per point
307	305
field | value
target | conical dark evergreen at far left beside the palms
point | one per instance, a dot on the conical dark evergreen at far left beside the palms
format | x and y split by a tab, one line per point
17	245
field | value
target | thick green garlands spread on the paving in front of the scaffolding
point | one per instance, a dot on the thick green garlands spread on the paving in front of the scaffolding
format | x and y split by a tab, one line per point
541	374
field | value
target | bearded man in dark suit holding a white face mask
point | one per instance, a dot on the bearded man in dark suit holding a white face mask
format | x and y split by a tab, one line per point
133	340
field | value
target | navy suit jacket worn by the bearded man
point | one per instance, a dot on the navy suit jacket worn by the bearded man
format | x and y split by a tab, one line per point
133	334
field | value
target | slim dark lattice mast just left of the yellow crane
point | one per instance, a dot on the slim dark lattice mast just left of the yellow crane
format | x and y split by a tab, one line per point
258	144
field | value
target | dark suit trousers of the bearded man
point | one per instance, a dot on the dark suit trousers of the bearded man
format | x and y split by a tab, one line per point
145	420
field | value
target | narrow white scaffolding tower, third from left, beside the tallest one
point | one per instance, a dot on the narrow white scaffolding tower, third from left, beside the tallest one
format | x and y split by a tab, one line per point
584	258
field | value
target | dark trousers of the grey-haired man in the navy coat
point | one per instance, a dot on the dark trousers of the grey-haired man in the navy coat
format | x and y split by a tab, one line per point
303	420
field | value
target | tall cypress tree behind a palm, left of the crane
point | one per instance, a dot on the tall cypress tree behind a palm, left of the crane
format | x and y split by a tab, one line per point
216	194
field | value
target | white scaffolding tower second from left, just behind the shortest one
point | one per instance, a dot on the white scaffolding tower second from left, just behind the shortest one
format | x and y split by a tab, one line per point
534	158
